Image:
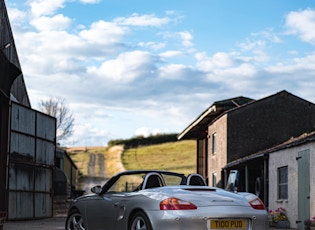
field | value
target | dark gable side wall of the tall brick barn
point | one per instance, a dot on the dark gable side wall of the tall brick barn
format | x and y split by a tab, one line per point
267	123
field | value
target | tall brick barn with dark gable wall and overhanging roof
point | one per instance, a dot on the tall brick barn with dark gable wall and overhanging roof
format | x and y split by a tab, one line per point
236	137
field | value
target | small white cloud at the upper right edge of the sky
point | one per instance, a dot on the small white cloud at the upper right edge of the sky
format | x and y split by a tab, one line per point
302	24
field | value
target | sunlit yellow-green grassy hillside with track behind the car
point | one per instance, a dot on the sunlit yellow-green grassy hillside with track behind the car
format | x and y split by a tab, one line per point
177	156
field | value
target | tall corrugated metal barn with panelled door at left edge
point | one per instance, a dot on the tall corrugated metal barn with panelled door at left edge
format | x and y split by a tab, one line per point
27	145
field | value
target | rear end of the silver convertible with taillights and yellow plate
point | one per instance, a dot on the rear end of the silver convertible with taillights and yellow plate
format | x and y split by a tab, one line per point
209	208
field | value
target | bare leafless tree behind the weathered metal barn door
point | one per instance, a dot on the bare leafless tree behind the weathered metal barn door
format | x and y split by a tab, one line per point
57	108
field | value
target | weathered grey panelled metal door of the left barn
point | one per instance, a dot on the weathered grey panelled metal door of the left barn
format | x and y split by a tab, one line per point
31	160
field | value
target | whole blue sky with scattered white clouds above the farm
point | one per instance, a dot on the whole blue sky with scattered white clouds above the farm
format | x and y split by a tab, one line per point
141	67
